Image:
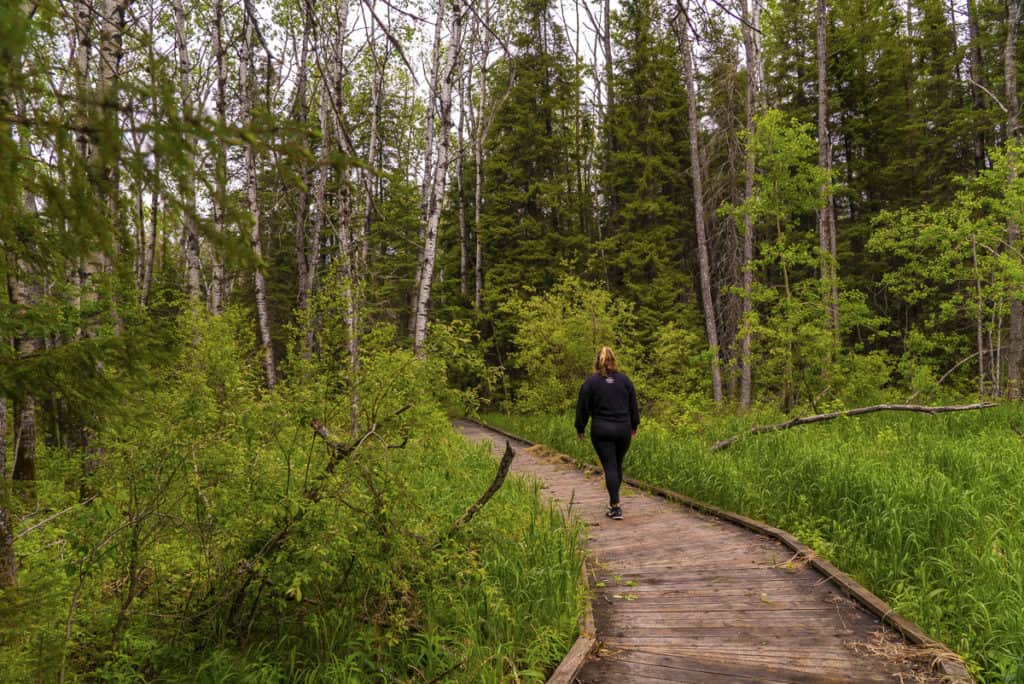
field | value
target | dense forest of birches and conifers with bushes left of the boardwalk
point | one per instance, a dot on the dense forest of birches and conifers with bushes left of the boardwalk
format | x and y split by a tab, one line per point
254	252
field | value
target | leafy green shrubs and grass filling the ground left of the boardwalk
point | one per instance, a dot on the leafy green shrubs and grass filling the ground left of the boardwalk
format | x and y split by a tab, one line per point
216	540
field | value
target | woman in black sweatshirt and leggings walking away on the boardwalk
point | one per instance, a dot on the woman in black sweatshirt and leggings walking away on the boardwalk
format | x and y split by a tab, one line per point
609	400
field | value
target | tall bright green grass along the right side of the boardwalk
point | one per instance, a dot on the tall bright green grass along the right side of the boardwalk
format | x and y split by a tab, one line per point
927	511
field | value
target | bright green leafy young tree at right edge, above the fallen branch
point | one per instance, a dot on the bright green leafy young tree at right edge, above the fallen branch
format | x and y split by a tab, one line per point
952	273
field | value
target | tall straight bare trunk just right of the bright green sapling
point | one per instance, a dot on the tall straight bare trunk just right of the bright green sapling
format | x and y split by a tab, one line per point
827	218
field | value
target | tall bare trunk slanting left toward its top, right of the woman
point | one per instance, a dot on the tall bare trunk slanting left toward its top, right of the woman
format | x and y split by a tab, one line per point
711	323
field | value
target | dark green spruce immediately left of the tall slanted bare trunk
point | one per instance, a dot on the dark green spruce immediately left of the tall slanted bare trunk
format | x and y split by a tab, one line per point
649	236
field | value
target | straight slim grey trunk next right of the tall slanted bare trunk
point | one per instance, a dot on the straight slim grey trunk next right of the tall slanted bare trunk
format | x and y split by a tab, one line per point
752	48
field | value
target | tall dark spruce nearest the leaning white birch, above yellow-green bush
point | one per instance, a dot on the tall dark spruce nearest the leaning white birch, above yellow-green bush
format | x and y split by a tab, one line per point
532	220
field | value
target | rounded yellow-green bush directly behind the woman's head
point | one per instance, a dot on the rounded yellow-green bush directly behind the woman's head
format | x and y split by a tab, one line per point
558	337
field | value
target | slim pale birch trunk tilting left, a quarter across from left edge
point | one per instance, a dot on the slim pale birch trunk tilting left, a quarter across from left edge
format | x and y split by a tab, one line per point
247	82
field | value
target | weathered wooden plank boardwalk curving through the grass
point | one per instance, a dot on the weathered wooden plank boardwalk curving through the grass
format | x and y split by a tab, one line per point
680	596
